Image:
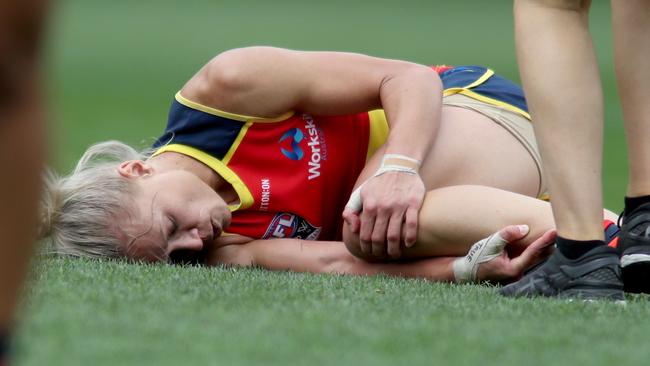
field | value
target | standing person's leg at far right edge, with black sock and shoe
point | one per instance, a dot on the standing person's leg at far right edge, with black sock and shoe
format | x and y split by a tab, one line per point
631	26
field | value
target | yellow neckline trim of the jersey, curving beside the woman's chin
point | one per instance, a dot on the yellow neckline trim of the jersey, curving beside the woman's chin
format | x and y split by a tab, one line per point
245	196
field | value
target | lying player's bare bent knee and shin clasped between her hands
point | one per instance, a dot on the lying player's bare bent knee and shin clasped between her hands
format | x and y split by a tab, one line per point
454	218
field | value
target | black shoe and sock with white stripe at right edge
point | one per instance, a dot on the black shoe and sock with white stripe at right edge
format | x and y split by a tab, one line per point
634	249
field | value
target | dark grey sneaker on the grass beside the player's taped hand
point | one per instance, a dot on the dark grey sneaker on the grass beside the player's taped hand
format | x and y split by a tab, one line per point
595	275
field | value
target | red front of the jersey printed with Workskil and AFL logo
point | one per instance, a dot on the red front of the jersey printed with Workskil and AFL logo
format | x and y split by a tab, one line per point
300	173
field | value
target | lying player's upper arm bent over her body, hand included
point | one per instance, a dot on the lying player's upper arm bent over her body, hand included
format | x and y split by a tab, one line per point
268	82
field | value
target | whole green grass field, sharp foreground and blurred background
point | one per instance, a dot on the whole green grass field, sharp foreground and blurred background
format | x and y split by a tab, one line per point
112	69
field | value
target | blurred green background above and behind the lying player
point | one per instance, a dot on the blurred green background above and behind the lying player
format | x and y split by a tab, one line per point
113	67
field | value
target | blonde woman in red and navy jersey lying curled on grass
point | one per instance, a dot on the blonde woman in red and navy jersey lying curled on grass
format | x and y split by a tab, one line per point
265	143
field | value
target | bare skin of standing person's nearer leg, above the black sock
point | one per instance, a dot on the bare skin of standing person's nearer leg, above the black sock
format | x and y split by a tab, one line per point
560	76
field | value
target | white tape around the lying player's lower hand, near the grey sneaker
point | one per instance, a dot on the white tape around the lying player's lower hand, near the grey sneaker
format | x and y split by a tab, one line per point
466	268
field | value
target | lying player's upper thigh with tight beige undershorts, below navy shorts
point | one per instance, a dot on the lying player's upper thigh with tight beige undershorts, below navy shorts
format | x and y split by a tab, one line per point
492	148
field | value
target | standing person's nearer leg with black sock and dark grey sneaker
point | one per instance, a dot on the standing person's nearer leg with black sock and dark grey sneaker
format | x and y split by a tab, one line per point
562	84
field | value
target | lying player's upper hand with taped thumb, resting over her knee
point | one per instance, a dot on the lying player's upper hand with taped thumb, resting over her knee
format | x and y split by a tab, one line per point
386	213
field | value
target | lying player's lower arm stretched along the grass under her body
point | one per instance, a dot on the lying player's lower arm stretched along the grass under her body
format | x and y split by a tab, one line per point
333	258
